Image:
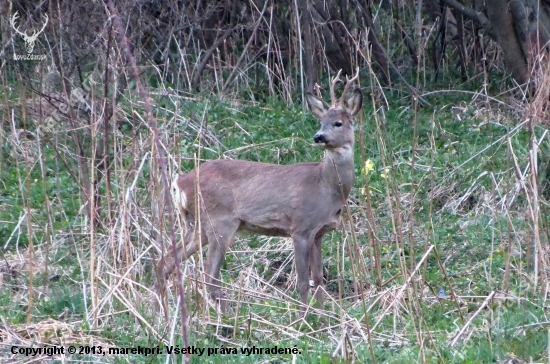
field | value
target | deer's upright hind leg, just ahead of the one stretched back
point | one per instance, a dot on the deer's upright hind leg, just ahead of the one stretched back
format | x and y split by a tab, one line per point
220	236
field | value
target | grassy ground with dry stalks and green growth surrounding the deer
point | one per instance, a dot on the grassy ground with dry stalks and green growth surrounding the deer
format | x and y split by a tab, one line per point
442	257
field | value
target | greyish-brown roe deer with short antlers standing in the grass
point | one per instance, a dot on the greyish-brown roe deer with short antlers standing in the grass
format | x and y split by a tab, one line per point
302	201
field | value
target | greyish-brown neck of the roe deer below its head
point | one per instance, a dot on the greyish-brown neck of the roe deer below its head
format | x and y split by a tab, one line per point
338	169
